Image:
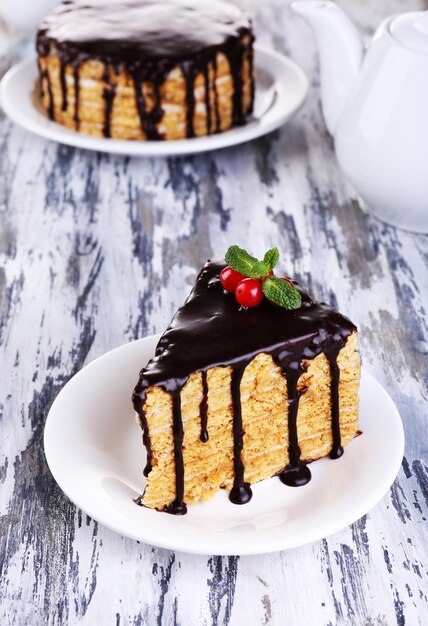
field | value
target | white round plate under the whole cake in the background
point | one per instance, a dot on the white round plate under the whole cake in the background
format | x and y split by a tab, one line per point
281	88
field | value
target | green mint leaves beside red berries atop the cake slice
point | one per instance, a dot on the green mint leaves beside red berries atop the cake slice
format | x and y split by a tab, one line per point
278	290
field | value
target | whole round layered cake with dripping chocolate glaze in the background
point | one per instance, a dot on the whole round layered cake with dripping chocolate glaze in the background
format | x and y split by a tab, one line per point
146	69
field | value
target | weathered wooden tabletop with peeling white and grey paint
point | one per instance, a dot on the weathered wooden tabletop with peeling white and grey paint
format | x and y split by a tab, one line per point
96	251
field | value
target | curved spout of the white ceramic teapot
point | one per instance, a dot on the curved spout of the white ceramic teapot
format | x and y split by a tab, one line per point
341	52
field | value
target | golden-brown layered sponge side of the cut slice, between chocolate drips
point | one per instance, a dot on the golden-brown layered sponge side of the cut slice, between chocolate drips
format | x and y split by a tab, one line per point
209	465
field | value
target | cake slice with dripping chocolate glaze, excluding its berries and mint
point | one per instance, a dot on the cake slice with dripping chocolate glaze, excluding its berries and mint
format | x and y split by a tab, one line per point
235	395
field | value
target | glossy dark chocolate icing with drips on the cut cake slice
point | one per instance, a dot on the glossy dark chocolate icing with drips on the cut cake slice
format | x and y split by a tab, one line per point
211	330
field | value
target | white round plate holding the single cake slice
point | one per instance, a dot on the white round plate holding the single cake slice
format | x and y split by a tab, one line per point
94	450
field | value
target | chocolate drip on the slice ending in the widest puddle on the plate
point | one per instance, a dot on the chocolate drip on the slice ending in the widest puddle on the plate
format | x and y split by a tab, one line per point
297	474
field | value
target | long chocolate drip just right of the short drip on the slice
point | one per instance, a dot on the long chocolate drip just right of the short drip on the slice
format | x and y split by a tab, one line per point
241	491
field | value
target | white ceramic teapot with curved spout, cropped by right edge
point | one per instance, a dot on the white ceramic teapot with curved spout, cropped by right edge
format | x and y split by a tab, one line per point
375	104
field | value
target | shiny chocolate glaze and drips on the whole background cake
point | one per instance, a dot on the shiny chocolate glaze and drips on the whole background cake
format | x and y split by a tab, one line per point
149	38
